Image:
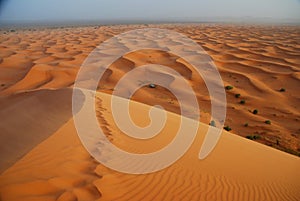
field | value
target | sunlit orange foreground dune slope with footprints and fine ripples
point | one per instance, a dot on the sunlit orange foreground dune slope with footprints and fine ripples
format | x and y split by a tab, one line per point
238	169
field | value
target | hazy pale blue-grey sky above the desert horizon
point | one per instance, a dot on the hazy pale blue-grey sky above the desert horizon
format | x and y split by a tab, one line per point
148	10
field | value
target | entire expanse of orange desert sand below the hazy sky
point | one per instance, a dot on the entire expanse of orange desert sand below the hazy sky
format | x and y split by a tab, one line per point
37	71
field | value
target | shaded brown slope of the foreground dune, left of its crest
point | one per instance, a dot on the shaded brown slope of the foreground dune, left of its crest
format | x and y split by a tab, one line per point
29	118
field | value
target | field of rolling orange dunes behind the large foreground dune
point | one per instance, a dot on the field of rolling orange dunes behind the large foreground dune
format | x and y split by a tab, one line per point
256	60
